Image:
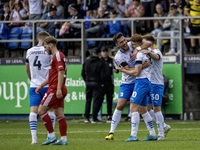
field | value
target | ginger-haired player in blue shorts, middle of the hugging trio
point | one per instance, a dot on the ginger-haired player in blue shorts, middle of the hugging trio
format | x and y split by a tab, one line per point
138	103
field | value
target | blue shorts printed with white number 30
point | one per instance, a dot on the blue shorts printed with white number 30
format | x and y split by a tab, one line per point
156	94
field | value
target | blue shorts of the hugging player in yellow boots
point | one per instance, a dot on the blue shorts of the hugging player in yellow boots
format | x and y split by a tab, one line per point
126	91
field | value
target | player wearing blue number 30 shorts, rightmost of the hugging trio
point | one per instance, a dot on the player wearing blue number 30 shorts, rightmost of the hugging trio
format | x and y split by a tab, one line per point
157	88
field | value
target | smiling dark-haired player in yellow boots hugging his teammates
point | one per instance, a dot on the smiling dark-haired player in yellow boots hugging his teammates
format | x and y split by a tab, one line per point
124	57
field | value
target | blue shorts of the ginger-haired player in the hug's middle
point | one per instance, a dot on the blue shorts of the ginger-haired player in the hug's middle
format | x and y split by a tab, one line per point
141	91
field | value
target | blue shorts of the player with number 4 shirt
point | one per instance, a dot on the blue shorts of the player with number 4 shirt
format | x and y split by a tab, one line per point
34	98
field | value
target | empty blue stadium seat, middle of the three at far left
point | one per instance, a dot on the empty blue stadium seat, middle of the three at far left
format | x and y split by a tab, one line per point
14	34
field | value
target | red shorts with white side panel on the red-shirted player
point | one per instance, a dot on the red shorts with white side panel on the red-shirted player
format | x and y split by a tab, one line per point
50	99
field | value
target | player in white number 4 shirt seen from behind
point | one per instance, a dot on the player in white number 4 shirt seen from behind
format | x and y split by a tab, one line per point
37	68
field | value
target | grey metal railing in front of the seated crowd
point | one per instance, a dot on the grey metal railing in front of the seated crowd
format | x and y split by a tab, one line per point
83	39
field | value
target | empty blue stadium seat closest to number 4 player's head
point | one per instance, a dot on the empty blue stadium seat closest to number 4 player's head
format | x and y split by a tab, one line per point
26	35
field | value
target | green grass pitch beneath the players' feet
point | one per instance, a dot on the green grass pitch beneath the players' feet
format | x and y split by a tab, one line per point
15	135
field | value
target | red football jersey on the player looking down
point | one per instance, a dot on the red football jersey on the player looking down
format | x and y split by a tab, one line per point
58	62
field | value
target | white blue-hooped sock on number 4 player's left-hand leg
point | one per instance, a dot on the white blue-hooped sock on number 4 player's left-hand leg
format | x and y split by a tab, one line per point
33	124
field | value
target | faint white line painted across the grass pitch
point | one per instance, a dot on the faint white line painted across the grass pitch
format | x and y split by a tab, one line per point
72	132
